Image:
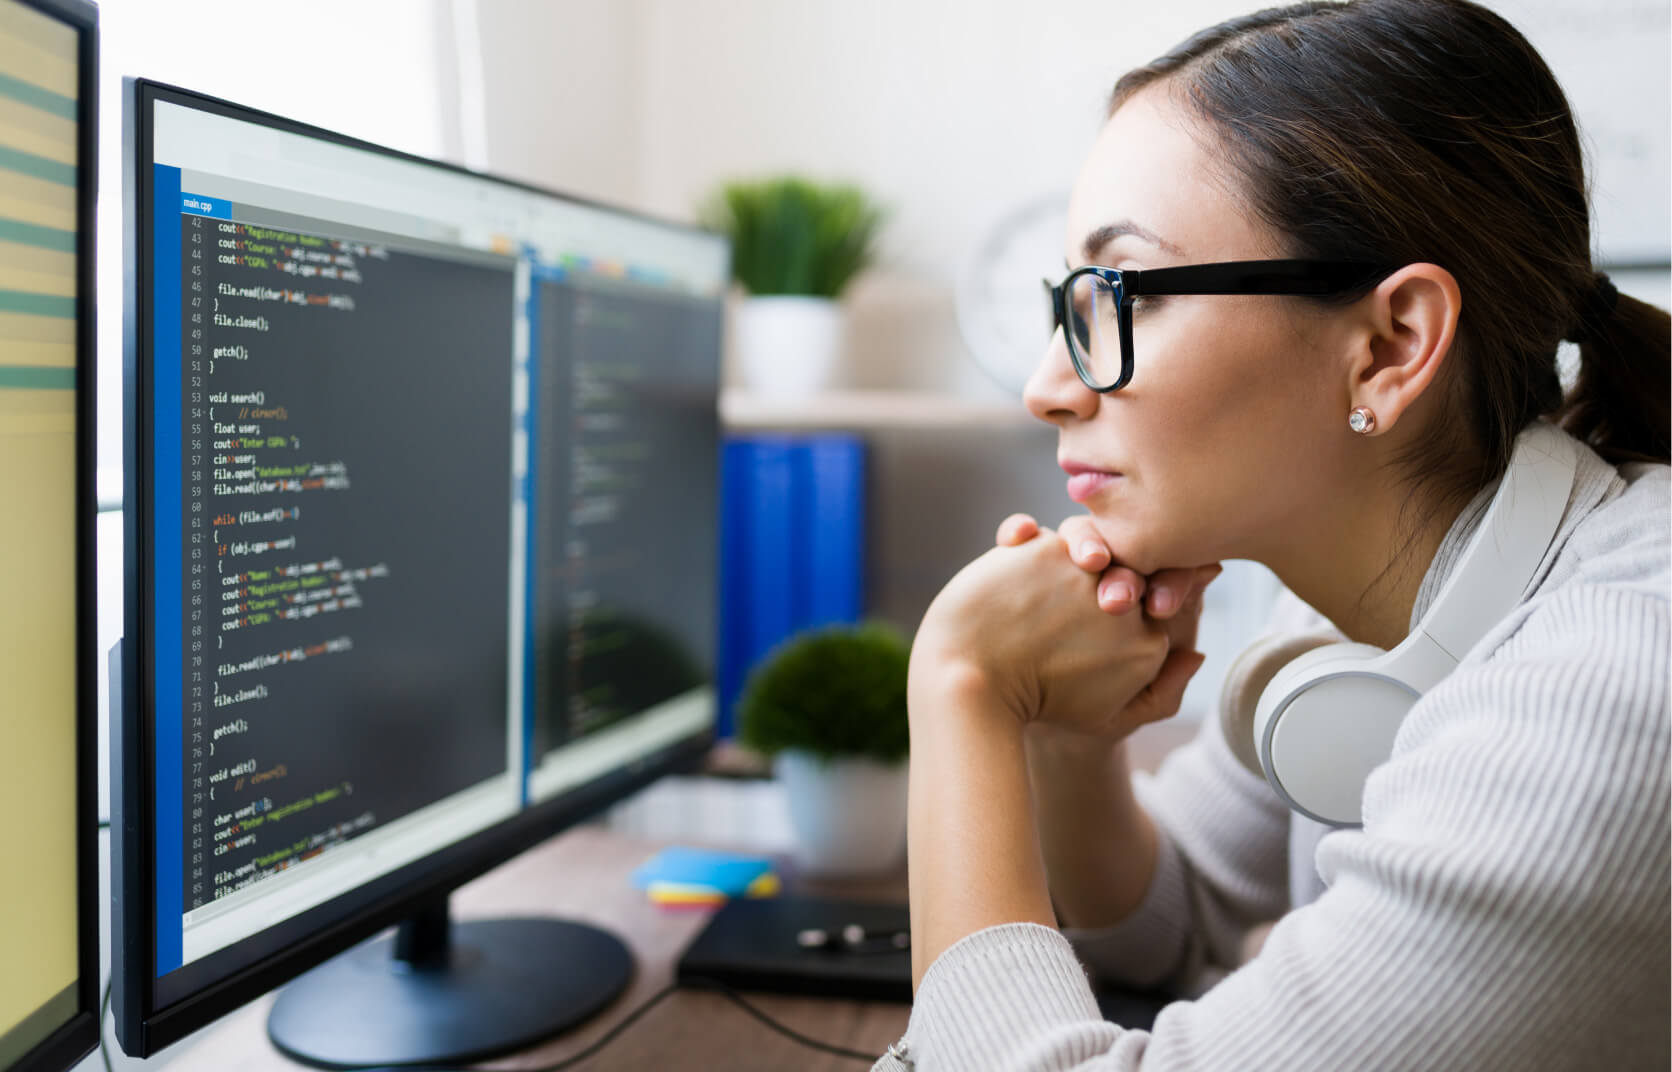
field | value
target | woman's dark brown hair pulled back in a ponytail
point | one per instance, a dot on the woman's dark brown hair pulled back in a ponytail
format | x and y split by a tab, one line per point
1405	131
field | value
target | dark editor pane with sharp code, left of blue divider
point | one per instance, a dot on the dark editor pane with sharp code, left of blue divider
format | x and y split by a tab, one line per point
347	427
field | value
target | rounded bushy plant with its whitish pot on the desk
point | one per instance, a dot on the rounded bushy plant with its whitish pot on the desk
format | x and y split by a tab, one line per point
830	707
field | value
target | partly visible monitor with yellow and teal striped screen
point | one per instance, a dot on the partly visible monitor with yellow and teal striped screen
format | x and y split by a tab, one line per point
49	784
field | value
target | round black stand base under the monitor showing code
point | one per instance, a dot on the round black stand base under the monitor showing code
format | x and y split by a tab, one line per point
449	993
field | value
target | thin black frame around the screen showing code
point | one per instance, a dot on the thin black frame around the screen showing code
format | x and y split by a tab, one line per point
143	1023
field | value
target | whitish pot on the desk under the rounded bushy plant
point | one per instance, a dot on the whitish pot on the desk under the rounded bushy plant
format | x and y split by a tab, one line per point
849	815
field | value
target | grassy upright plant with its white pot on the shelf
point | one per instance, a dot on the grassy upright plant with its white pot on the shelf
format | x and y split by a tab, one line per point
797	245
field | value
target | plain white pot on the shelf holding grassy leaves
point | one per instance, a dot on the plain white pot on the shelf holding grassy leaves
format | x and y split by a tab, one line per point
788	345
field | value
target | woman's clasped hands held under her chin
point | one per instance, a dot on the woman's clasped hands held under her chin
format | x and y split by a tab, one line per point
1046	625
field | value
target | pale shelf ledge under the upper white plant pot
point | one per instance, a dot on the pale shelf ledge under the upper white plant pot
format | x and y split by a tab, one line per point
872	411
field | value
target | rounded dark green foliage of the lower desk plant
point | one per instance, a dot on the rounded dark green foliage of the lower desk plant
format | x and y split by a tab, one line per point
833	692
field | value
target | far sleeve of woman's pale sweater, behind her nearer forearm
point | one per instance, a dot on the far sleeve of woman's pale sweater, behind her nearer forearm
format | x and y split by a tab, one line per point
1223	849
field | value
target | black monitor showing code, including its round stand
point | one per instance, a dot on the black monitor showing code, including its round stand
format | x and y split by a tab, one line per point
422	569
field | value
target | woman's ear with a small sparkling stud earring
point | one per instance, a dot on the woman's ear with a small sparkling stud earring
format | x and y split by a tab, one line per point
1412	320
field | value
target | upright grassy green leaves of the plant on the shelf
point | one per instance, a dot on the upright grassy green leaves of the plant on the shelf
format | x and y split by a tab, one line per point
793	237
